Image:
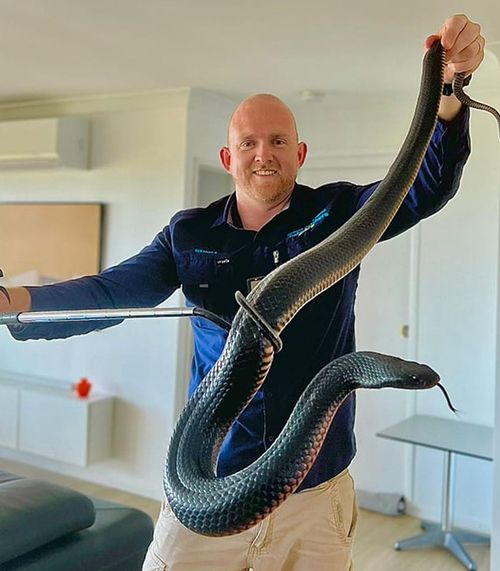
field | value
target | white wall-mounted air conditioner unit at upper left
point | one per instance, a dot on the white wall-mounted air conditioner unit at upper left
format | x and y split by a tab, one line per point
44	143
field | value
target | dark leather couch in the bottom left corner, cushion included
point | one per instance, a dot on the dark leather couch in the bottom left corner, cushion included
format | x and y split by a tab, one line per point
44	527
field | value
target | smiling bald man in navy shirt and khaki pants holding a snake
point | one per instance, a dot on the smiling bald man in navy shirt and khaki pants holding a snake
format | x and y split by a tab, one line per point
228	246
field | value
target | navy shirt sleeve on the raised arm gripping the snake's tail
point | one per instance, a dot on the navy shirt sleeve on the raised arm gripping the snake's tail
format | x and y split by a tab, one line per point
438	178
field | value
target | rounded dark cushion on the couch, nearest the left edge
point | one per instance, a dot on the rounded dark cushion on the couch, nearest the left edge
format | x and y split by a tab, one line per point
33	513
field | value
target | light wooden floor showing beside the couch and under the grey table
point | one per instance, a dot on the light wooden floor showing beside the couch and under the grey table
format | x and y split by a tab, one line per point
373	547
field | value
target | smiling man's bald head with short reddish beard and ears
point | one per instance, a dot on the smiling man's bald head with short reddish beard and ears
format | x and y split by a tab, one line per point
263	155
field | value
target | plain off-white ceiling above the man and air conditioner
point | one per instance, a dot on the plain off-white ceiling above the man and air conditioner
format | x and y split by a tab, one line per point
68	48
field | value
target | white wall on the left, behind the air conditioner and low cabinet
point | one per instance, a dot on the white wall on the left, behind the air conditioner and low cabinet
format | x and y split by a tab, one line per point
138	170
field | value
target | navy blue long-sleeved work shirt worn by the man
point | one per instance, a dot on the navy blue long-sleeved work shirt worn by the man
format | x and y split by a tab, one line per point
211	258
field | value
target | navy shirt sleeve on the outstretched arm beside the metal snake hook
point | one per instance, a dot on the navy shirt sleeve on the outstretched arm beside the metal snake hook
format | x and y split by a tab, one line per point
143	280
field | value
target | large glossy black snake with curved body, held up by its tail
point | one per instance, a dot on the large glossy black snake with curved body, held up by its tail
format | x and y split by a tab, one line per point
221	506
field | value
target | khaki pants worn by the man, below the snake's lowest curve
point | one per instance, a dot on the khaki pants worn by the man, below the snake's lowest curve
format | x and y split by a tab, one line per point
312	530
